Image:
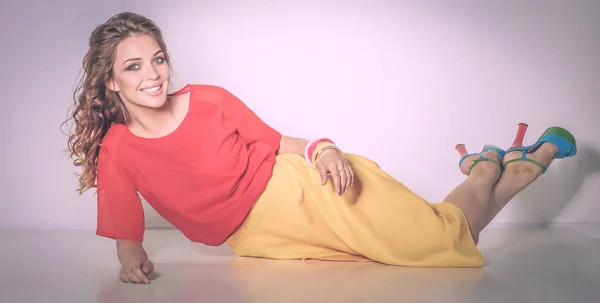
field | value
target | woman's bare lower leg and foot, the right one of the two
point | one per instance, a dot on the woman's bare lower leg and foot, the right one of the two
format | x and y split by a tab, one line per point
516	177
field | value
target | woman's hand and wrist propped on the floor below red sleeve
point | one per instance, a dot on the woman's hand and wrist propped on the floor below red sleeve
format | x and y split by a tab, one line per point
135	265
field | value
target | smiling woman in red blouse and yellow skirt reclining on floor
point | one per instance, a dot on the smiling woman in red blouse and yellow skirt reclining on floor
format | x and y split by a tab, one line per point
218	173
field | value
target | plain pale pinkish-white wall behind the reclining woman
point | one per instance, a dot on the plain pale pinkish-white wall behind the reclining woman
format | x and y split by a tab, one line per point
398	81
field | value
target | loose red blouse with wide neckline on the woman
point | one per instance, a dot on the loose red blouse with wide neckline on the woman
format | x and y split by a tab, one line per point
203	178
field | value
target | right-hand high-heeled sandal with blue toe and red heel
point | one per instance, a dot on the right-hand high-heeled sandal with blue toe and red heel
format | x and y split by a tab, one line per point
562	138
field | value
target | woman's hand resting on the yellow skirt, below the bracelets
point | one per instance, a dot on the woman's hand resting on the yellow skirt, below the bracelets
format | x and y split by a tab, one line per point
332	162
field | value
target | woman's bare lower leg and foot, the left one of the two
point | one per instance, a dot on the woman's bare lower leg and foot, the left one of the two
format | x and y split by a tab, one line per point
472	195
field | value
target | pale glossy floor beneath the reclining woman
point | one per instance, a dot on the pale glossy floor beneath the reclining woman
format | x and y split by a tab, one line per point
522	265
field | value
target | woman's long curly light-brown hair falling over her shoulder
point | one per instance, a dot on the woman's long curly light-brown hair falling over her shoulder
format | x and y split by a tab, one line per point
95	106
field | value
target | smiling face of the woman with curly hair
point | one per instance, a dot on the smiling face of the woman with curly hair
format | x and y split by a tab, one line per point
140	72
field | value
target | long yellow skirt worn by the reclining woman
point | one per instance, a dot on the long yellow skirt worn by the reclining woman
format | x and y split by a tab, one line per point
378	219
